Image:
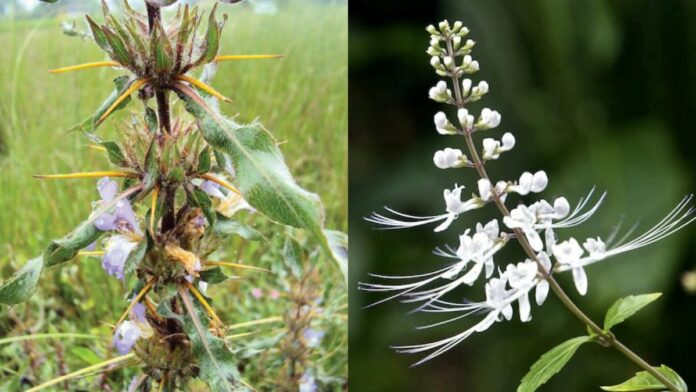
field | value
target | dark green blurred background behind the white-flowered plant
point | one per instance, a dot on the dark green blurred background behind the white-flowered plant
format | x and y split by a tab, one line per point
598	93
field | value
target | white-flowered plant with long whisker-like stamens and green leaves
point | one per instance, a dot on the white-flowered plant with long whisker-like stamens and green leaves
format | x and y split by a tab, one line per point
533	226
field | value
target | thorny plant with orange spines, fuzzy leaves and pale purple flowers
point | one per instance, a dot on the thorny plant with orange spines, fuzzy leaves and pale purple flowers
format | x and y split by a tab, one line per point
183	182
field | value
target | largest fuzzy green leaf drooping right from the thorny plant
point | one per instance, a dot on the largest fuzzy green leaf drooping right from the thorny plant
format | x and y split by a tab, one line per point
261	173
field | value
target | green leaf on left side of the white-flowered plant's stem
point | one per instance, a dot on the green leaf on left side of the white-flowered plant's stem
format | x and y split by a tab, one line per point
550	363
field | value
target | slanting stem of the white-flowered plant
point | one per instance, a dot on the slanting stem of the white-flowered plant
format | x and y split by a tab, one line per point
605	337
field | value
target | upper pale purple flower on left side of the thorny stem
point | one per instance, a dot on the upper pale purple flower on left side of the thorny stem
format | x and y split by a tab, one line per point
123	217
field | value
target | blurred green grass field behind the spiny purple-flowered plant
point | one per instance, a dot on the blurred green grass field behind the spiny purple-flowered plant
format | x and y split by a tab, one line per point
301	99
